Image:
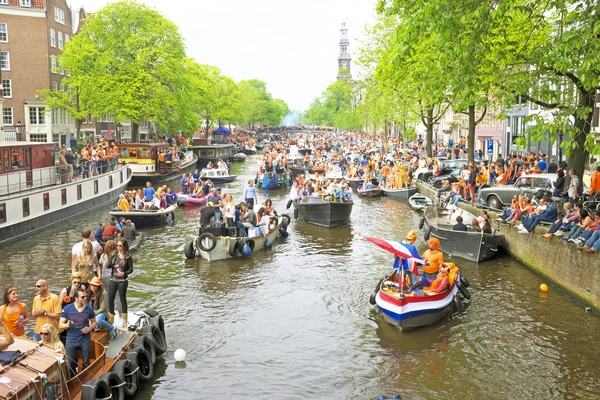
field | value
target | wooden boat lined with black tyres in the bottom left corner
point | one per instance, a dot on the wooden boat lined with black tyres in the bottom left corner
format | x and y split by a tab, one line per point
117	367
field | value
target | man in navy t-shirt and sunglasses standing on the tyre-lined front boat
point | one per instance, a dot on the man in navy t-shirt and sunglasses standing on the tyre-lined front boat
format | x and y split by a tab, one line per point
79	319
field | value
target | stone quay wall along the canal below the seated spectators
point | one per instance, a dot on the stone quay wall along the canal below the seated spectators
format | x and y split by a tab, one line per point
577	272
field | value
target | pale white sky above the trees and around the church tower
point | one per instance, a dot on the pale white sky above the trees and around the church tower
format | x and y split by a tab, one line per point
291	45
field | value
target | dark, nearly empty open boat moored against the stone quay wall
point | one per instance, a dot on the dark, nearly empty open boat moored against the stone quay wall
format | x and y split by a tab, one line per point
471	245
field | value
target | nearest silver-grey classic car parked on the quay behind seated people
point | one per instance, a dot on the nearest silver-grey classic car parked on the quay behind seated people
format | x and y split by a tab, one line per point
501	195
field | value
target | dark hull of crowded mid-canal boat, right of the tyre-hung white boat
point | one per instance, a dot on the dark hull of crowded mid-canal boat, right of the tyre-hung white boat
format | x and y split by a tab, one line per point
323	211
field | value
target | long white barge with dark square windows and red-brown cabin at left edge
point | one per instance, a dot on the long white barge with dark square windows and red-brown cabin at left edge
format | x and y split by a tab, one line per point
32	196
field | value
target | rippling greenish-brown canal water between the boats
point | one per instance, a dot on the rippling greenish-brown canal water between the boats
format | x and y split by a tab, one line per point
296	323
